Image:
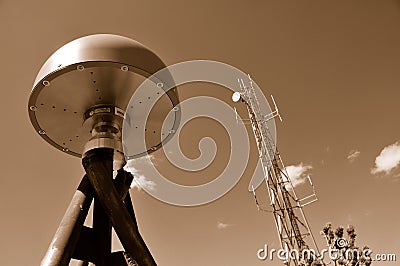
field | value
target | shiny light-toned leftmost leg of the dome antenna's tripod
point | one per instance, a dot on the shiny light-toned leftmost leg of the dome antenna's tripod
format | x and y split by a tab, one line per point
64	240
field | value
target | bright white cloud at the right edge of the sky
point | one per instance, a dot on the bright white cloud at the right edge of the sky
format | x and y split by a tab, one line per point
388	159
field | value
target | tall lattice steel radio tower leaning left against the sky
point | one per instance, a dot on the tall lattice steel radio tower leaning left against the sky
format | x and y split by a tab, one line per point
291	223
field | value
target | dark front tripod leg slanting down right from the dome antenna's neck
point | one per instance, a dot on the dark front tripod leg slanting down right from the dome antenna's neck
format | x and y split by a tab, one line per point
98	166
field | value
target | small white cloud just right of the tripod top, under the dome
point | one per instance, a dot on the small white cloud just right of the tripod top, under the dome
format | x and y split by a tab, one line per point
140	181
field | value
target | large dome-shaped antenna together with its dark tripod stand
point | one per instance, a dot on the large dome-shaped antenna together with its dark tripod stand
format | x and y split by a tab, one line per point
79	104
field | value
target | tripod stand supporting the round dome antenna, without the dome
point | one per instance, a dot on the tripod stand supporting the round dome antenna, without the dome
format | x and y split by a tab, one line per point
112	208
